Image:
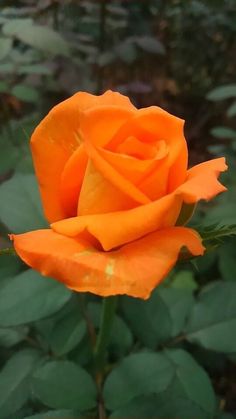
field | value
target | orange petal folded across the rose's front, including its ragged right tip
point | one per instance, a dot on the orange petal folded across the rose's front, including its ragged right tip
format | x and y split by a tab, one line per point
126	226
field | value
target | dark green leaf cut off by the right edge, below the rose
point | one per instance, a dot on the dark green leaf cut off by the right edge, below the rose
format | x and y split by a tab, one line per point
212	321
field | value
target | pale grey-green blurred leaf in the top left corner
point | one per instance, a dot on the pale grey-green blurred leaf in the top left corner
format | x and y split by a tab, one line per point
37	36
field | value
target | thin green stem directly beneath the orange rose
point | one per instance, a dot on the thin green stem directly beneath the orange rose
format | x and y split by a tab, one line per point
107	316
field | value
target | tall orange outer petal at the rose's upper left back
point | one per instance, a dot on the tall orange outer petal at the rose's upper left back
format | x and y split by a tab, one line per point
58	136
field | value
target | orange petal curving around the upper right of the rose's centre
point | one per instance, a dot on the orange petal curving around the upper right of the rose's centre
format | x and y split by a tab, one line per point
155	124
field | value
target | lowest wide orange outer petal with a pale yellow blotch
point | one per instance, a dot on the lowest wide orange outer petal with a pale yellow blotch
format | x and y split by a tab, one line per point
134	269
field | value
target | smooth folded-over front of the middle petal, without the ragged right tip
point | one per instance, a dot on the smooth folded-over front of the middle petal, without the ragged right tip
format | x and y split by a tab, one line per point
116	228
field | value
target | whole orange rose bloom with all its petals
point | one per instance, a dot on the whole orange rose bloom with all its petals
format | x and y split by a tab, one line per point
113	180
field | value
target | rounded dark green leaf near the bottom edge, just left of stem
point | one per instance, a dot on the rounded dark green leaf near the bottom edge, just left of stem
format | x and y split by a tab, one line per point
64	385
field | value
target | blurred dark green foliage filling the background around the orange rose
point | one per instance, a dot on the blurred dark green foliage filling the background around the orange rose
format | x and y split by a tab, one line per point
177	54
